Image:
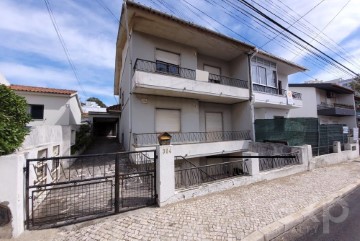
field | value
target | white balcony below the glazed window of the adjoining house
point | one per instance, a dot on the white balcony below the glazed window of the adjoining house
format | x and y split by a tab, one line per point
266	96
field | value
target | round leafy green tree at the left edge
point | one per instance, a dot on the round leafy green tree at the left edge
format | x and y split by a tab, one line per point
13	120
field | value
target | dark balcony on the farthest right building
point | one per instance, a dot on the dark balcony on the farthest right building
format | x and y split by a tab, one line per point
336	109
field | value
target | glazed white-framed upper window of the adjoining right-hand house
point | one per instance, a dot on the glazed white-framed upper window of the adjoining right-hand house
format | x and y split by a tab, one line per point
263	72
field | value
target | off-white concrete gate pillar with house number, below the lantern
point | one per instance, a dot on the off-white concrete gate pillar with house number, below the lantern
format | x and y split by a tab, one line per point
165	173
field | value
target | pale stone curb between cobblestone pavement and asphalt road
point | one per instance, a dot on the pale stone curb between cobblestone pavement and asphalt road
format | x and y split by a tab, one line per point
279	227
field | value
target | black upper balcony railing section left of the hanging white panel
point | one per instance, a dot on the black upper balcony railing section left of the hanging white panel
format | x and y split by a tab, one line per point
164	68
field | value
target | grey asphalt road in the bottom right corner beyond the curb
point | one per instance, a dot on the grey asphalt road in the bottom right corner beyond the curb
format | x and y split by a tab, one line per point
340	222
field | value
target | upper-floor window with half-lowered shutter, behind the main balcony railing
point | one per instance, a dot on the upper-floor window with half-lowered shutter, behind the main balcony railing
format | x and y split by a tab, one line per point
167	62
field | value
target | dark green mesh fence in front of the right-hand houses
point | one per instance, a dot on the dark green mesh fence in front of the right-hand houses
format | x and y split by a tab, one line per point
300	131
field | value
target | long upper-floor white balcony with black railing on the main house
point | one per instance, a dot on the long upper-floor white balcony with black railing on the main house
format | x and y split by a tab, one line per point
160	78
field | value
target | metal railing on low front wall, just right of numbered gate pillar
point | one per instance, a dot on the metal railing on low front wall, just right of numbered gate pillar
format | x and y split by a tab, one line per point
198	175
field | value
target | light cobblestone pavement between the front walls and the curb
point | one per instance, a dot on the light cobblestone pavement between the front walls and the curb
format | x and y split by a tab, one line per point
227	215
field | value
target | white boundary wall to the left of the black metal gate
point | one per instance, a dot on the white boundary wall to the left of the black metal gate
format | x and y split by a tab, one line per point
12	175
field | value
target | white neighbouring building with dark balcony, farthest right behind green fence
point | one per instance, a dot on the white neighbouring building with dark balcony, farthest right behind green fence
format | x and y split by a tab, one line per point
329	102
